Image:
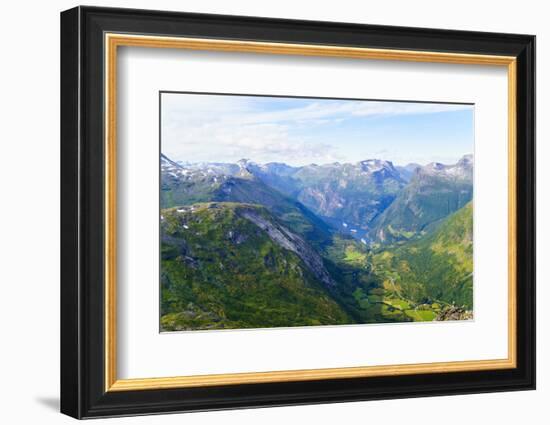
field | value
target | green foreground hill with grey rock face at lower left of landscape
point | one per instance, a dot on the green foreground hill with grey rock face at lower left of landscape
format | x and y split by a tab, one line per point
228	265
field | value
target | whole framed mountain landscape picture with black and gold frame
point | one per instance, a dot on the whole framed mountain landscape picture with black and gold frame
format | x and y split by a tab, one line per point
261	212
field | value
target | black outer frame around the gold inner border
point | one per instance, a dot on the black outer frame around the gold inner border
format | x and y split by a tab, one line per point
83	392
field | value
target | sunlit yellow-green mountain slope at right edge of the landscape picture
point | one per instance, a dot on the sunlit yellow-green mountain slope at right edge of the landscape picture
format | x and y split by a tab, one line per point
436	269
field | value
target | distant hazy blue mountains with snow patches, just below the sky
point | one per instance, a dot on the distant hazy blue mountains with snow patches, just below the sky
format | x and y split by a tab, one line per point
358	198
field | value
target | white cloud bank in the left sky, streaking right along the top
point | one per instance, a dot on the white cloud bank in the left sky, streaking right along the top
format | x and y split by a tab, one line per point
227	128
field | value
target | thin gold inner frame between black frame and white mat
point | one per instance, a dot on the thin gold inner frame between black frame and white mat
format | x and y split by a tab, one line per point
113	41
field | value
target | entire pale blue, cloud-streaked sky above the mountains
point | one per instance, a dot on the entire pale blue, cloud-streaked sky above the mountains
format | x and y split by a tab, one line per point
222	128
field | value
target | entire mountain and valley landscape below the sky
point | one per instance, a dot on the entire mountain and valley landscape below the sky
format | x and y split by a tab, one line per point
259	245
